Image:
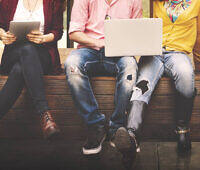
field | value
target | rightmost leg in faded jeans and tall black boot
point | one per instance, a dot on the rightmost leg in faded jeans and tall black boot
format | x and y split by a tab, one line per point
184	83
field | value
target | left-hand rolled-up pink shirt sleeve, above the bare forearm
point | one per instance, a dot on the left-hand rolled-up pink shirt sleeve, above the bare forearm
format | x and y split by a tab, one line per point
79	16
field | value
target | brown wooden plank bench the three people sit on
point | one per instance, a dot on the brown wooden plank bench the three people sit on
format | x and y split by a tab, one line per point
22	123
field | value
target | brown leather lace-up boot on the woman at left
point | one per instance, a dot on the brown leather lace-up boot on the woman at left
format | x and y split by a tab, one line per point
49	127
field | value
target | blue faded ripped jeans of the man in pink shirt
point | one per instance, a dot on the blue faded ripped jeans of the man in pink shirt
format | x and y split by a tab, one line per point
85	62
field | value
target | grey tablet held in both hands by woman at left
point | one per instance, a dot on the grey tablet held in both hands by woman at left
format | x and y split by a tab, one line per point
20	28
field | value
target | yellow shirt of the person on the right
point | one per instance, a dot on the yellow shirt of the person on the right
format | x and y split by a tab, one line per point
181	34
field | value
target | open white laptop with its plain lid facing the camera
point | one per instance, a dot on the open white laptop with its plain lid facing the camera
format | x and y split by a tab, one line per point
133	37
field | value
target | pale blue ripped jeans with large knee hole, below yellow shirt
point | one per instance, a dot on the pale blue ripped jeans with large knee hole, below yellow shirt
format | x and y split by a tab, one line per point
177	65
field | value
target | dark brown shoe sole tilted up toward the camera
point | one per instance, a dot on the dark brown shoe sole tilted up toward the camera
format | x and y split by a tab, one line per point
122	141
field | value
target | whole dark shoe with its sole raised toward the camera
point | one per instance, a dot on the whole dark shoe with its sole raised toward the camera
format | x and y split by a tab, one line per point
125	141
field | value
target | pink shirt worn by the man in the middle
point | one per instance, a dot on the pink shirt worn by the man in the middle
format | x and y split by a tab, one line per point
88	15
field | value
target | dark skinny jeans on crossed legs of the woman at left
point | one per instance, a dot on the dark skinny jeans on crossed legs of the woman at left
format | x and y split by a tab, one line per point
26	64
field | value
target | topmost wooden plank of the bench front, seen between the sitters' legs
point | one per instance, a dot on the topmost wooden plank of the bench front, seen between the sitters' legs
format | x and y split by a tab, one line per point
102	85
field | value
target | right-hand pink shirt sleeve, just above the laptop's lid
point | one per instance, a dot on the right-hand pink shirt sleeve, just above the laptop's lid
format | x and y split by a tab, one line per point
137	9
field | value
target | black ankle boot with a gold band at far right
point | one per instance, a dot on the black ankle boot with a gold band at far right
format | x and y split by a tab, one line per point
183	139
